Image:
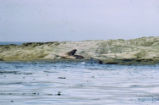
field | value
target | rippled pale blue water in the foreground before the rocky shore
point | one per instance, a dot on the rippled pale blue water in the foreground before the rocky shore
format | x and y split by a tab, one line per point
82	83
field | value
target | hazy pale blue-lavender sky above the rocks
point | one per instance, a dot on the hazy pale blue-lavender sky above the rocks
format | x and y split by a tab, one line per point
74	20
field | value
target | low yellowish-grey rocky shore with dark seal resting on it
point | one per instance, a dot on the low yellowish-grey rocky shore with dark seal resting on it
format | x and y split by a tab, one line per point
143	50
